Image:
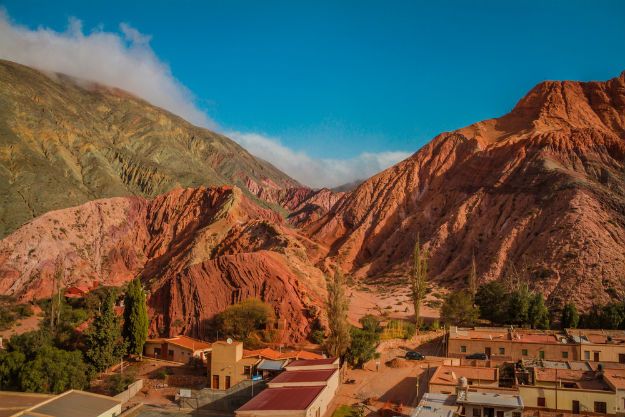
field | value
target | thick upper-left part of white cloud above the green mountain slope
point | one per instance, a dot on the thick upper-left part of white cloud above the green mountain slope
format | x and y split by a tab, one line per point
123	60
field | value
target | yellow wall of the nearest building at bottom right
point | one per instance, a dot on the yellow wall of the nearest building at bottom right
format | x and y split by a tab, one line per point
565	397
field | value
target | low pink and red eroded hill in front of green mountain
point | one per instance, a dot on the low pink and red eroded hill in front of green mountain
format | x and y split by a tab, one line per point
197	250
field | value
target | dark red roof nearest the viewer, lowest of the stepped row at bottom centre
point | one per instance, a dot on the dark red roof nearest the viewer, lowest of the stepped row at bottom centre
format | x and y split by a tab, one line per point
286	398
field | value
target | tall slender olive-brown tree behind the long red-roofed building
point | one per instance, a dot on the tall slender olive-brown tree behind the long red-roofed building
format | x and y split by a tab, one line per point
337	306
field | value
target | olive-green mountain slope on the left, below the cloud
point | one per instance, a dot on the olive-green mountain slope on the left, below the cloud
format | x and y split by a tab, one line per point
64	142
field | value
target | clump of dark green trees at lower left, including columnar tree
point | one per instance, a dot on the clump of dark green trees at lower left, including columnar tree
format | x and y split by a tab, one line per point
56	358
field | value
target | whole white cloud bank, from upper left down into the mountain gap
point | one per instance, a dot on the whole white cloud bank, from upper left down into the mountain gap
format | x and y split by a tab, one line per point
125	60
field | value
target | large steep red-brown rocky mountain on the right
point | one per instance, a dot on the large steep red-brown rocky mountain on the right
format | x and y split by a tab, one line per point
541	189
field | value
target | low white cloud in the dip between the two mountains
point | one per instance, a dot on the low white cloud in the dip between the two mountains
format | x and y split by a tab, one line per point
316	172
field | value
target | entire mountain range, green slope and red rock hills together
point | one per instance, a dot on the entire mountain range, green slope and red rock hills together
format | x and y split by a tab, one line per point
541	189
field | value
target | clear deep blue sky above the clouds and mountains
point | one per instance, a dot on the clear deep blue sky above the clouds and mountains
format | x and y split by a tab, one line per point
334	80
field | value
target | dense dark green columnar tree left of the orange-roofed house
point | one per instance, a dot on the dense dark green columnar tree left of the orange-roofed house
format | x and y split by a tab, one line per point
135	330
